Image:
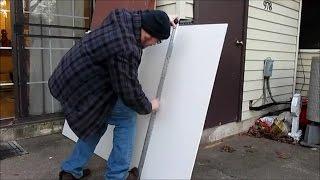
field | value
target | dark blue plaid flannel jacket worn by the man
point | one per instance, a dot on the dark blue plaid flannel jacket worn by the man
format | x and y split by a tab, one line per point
99	69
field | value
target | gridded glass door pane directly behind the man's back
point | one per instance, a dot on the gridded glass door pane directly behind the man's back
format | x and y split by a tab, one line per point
44	52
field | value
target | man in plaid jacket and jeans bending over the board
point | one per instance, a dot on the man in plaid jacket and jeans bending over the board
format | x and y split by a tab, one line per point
96	84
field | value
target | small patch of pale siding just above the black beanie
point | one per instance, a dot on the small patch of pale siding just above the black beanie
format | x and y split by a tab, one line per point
181	8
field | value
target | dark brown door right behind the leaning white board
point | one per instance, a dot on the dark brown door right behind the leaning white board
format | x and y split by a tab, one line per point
226	99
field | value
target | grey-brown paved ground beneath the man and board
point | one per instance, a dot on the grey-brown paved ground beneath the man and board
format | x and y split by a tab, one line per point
237	157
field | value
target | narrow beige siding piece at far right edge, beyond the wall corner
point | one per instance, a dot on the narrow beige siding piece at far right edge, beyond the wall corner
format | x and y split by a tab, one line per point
303	70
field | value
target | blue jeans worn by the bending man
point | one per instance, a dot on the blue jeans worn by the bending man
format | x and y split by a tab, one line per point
124	120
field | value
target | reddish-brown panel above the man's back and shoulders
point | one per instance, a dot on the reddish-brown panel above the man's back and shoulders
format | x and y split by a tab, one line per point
103	7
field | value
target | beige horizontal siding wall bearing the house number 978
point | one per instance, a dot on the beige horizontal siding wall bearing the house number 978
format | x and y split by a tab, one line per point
270	34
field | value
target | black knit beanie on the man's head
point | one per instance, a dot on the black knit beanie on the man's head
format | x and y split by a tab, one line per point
156	23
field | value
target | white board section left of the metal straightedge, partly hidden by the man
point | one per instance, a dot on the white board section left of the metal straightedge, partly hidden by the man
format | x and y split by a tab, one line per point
149	76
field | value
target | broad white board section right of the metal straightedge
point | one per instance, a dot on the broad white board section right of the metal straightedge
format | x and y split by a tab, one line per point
185	98
